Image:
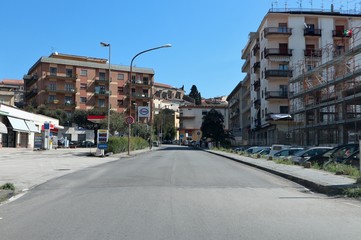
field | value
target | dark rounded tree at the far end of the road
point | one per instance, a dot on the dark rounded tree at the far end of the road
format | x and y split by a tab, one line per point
213	127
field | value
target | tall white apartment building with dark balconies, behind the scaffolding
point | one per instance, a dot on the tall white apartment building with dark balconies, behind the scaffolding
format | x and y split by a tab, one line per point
284	39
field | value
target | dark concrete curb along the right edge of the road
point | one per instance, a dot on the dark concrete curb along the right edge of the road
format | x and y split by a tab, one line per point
330	190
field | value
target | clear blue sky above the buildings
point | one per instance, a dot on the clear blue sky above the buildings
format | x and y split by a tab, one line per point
207	36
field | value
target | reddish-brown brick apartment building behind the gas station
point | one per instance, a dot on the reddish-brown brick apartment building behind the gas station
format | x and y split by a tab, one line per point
70	82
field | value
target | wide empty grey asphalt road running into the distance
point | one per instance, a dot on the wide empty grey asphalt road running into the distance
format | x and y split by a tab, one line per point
176	193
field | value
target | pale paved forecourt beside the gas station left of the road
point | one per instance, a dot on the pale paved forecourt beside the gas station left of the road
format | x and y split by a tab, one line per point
26	168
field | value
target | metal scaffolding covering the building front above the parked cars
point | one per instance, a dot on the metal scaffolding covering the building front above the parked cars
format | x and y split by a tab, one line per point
325	94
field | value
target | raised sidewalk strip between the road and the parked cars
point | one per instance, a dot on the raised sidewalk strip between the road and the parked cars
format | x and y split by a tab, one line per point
316	180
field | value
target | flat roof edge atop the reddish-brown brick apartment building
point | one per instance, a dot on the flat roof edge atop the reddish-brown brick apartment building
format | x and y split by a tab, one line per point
89	62
